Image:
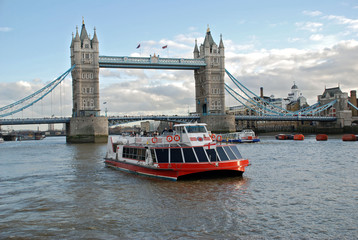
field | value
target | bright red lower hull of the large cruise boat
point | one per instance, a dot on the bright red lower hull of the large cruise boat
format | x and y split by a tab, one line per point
173	171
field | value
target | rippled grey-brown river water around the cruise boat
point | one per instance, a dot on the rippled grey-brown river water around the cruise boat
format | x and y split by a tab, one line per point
292	190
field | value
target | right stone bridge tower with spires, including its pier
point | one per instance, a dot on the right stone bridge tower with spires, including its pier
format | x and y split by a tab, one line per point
210	85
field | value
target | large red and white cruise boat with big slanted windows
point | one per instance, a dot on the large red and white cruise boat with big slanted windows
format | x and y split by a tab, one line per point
187	151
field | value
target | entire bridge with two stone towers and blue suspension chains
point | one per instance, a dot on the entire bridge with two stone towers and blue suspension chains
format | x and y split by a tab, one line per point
208	64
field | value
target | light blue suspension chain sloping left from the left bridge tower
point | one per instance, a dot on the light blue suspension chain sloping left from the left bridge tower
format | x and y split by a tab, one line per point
33	98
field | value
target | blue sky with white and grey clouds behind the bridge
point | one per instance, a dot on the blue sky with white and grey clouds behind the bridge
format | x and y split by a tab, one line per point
269	44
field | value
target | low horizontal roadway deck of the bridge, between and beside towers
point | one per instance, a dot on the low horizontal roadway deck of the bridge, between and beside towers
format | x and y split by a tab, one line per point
124	119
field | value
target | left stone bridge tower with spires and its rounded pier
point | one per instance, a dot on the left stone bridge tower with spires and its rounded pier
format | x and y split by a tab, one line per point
86	123
